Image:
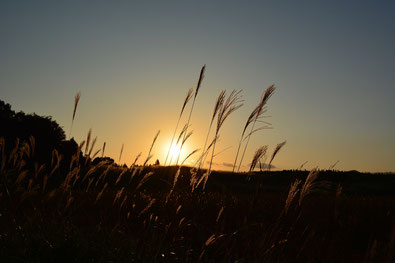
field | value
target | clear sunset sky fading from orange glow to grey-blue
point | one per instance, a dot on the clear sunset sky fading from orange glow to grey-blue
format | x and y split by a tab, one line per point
332	62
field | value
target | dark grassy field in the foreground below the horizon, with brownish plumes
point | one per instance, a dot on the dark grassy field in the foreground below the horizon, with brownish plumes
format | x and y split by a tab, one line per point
84	212
